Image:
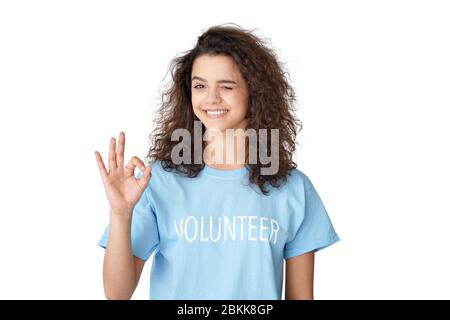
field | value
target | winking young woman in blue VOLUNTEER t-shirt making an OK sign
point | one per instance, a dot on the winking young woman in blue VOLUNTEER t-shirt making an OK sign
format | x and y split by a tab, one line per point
219	229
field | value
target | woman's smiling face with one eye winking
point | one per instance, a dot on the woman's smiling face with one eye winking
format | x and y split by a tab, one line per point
219	92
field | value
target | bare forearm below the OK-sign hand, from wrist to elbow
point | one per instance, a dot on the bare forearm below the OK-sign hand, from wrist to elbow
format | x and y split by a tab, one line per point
119	278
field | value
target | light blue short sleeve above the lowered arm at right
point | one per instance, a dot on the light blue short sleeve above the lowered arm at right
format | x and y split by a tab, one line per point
316	231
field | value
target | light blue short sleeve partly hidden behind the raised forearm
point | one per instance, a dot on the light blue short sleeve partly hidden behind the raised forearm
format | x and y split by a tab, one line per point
144	228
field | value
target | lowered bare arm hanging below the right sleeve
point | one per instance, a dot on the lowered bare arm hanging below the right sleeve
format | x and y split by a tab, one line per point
300	277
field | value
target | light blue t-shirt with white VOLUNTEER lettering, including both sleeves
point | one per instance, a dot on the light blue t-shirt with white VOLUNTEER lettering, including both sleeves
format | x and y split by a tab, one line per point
216	236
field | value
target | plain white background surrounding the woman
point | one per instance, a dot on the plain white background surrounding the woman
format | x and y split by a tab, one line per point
373	84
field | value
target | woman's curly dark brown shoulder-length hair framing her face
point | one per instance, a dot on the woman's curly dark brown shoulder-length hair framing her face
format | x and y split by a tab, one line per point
271	103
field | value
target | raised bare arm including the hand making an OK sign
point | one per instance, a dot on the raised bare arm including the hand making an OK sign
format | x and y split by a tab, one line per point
121	270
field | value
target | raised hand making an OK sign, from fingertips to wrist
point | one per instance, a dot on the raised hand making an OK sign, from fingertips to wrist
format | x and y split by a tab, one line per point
123	190
